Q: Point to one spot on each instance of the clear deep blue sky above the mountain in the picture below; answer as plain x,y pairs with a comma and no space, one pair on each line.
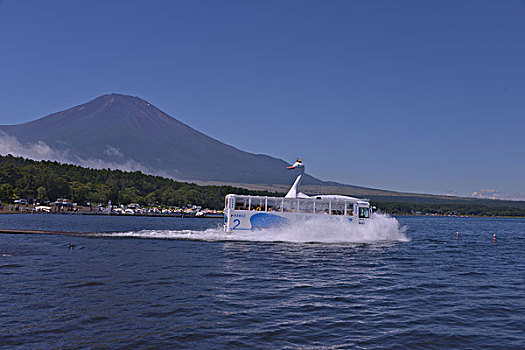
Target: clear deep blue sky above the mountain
420,96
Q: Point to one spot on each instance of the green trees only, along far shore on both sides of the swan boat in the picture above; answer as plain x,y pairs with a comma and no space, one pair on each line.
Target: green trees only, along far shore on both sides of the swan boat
50,180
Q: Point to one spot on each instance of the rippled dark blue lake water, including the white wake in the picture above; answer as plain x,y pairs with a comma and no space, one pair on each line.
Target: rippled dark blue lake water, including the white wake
136,282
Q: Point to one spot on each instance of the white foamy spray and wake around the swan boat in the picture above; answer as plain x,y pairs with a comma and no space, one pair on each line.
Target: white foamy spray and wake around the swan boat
381,228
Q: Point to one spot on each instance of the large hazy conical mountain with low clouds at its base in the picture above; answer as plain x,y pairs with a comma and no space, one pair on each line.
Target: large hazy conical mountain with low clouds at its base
128,133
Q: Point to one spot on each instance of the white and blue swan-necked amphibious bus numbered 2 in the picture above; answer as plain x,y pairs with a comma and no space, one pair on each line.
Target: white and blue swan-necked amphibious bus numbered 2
258,212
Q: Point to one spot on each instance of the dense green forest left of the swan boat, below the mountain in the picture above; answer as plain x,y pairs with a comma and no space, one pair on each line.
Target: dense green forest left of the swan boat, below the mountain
50,180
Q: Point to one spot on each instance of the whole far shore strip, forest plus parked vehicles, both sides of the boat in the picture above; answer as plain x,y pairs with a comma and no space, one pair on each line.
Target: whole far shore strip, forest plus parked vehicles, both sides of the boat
28,182
